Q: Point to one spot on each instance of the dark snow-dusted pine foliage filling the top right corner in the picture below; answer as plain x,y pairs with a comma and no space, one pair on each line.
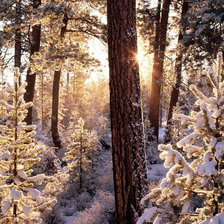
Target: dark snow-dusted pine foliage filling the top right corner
204,36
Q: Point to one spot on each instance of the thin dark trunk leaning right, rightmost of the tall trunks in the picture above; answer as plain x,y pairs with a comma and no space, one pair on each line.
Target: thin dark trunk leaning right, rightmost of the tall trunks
178,65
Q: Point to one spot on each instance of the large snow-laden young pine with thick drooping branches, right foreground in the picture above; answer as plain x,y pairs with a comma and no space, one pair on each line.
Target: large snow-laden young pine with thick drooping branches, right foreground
192,191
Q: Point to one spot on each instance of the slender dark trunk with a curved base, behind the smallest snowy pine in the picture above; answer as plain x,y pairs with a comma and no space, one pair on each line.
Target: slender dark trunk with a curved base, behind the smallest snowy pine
55,97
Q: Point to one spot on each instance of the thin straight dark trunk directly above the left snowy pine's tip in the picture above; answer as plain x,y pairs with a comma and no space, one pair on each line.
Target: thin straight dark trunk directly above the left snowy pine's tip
18,37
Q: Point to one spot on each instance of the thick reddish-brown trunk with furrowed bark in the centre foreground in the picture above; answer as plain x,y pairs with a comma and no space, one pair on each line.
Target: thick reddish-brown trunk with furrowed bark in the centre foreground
129,163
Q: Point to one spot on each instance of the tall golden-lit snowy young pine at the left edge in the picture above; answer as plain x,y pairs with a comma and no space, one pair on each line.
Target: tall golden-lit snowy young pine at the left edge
21,201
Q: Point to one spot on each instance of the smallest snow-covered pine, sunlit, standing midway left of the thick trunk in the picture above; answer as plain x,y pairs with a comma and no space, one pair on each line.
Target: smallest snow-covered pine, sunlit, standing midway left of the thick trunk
80,152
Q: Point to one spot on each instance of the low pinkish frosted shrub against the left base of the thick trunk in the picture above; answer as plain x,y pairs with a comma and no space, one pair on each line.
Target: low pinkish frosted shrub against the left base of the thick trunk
101,211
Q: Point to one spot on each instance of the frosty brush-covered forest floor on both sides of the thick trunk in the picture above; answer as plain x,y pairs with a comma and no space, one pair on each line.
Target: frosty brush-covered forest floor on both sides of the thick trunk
95,203
